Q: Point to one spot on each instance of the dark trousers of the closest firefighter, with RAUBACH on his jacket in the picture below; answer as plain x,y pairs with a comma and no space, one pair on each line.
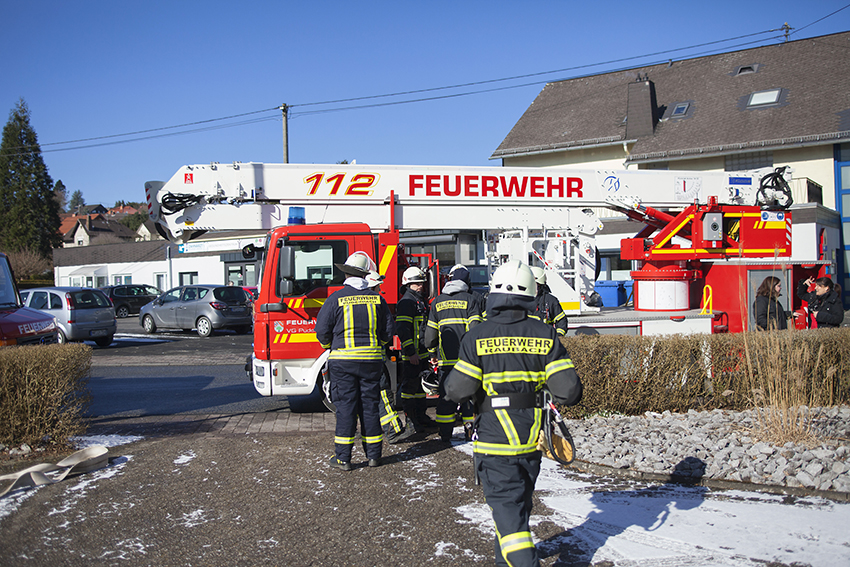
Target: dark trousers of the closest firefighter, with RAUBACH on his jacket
508,483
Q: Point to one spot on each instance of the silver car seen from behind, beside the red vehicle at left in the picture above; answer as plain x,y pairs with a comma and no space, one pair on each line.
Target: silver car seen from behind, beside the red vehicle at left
82,313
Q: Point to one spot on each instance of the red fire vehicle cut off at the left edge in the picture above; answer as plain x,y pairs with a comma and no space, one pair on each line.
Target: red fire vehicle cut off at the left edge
20,325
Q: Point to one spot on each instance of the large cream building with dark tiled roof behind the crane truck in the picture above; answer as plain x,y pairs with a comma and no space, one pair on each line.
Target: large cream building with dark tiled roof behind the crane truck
785,104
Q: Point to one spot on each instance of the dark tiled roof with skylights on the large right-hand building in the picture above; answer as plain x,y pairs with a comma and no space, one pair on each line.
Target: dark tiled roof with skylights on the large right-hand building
588,111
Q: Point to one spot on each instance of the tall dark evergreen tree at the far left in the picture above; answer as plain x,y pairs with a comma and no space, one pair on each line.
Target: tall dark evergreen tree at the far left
29,213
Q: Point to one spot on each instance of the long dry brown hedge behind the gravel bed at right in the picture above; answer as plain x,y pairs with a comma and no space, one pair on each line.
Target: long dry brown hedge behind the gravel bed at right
634,374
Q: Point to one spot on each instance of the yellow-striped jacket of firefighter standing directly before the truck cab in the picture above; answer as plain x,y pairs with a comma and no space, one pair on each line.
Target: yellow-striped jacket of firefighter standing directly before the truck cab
355,324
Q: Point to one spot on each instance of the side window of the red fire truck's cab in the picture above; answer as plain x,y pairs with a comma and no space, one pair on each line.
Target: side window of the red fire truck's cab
314,264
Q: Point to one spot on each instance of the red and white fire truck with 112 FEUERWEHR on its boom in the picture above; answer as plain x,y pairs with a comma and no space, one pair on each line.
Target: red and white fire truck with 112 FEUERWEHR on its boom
316,215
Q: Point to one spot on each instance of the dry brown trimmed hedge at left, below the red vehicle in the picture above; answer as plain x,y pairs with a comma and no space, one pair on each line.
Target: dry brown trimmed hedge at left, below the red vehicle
43,393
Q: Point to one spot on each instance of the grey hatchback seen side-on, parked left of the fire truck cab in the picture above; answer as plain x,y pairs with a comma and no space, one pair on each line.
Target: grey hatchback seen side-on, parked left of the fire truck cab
201,307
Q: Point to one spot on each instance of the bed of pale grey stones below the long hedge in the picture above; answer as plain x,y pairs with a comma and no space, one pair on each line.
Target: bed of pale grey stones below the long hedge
722,445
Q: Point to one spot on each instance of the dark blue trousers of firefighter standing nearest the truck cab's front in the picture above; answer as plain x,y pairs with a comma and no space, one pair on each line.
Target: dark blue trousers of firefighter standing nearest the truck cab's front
355,390
